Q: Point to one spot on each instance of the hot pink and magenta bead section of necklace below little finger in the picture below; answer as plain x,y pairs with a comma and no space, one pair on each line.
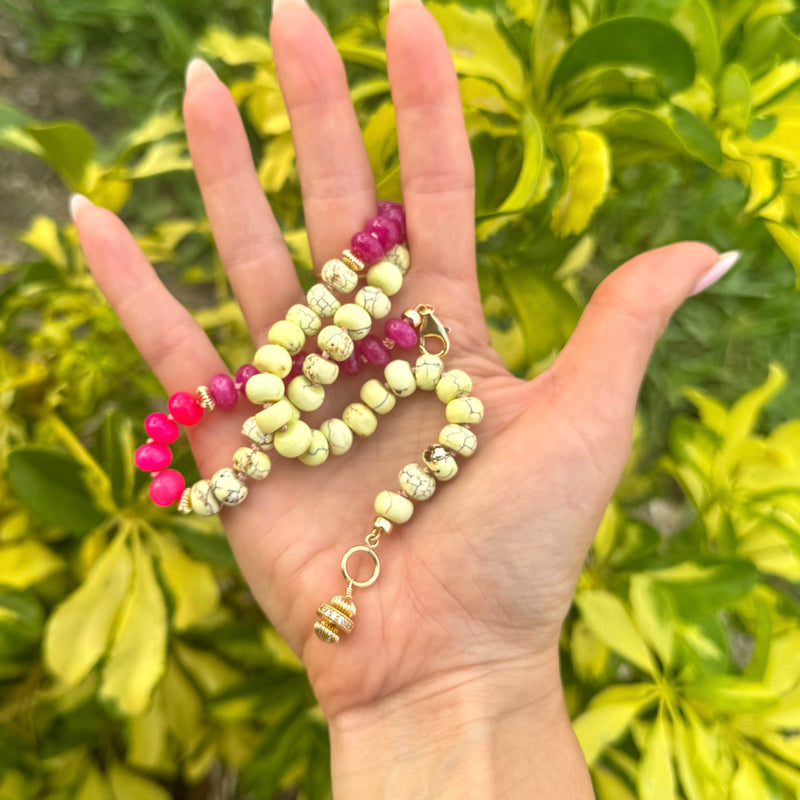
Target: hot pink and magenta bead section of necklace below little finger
186,409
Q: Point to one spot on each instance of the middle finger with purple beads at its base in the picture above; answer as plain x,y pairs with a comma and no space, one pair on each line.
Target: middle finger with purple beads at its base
335,174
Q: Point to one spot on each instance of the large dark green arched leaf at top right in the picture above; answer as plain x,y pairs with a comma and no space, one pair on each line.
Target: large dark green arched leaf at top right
637,42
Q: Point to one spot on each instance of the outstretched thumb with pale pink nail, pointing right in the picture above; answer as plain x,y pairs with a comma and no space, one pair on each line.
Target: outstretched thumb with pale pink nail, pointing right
599,371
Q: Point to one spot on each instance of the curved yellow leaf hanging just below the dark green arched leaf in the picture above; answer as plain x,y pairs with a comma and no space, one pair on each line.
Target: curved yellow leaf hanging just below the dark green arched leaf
586,161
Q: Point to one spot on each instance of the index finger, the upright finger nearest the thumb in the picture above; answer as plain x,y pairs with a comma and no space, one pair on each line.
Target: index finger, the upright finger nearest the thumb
435,159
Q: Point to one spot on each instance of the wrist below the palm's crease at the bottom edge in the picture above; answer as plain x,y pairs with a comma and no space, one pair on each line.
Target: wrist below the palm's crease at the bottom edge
495,731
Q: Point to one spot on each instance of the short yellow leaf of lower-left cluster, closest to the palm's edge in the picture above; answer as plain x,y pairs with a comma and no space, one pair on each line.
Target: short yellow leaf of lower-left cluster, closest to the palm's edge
191,584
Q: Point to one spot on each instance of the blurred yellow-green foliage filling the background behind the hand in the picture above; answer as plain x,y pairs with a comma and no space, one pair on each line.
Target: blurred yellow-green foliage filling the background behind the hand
133,661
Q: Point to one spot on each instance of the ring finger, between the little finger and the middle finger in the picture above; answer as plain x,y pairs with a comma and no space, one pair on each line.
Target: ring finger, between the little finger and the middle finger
247,236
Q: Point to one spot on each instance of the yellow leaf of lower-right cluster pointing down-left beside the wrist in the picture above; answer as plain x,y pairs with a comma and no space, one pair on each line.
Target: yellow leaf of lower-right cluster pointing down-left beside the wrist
609,716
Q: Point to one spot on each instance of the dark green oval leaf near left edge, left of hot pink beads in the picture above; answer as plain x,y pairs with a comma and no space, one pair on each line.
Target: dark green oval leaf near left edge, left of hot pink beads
50,483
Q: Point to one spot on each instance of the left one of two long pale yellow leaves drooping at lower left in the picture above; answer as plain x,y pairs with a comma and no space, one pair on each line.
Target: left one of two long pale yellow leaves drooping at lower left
78,631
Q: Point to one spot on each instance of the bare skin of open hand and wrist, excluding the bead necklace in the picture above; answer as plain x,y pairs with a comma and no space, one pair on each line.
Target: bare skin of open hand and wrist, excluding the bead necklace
449,686
